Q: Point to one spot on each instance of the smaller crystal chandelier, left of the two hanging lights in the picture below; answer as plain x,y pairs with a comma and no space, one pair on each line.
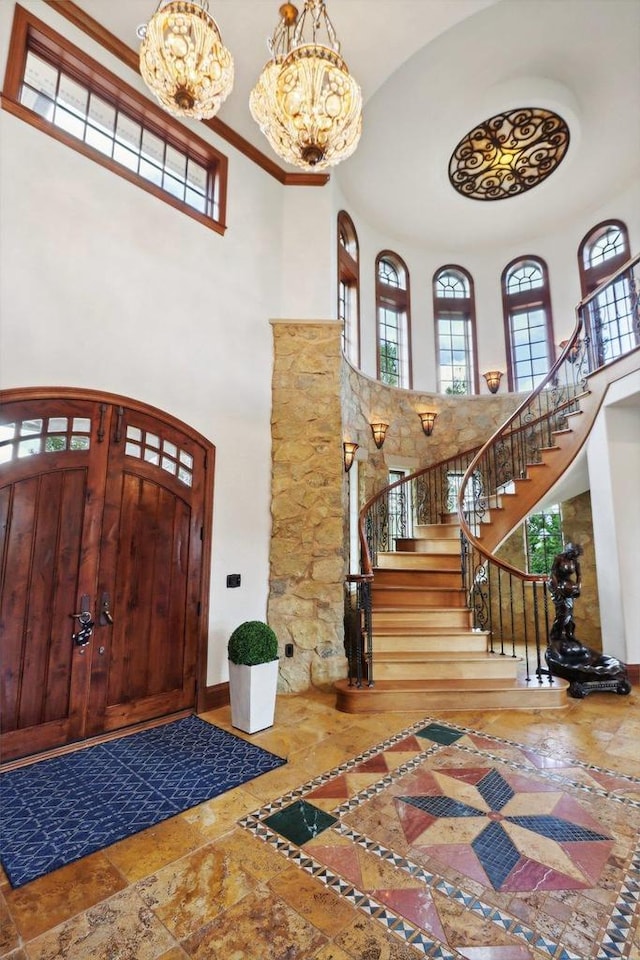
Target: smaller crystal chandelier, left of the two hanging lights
183,60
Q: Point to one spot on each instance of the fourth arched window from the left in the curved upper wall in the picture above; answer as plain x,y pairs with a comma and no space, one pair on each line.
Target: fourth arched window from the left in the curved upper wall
528,326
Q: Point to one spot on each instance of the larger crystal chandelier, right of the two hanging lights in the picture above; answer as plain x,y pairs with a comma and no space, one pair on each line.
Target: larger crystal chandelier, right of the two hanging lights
306,102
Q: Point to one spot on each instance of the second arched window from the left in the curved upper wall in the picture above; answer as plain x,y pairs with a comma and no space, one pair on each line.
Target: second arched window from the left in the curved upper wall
392,306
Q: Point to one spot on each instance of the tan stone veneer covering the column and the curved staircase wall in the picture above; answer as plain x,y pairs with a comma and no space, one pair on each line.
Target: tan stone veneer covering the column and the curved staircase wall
318,401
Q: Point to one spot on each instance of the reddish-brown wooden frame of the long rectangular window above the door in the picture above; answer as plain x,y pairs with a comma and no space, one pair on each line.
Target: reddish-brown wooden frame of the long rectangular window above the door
29,34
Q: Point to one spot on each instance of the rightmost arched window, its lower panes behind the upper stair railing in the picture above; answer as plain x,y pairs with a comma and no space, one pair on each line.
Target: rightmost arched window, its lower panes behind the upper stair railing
609,317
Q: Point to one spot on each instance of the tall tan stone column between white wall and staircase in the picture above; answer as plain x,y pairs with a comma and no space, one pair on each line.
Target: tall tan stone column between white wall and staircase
307,564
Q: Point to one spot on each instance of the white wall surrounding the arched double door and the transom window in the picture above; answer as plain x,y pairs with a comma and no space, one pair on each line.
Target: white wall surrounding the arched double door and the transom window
104,286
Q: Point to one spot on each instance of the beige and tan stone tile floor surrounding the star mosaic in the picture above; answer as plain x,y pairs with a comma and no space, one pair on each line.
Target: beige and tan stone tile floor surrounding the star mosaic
200,886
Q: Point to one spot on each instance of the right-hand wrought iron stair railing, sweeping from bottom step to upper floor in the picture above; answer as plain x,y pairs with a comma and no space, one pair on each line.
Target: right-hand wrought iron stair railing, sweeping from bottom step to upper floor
509,603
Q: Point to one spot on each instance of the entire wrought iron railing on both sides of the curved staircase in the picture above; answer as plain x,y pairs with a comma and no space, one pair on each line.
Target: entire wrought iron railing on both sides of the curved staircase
510,604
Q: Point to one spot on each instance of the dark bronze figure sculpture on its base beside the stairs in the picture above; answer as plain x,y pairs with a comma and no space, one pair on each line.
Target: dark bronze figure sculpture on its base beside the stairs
584,668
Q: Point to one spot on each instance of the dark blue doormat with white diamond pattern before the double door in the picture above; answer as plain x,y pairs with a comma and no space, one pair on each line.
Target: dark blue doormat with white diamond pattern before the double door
59,810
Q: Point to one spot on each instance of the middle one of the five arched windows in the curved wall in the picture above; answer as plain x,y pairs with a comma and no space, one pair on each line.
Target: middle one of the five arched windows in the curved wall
454,315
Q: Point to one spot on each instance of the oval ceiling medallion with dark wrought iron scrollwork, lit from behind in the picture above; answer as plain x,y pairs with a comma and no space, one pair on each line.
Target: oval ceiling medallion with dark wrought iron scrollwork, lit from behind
508,154
